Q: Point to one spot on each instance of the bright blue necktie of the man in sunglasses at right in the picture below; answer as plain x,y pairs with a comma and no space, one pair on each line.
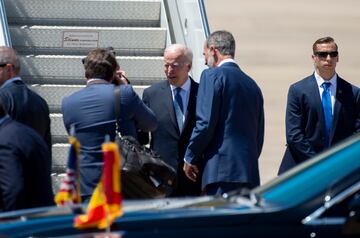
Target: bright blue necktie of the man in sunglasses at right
327,107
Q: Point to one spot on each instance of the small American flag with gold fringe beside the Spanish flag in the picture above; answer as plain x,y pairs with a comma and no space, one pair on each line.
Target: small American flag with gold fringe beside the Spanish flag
69,192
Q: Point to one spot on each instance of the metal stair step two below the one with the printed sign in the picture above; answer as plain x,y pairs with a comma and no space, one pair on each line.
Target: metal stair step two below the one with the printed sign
54,94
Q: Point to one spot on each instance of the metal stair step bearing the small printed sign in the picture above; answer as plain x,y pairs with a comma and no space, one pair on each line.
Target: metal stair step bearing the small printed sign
80,40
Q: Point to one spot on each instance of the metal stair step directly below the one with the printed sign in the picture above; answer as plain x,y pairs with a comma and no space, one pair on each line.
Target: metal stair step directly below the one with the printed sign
55,69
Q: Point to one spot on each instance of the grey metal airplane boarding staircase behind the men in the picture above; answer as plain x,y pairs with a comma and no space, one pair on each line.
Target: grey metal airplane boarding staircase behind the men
53,36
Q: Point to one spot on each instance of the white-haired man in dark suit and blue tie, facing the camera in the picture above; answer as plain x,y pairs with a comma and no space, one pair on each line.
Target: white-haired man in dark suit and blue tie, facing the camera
173,102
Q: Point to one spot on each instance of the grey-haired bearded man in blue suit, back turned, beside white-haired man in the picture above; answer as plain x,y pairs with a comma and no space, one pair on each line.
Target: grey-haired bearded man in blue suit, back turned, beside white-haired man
229,130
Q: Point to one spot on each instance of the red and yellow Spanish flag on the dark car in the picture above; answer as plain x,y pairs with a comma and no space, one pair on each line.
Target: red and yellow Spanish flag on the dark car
106,202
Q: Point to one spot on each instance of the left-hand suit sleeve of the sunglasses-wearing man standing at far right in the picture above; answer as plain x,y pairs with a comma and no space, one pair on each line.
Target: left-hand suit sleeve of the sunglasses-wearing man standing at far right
300,147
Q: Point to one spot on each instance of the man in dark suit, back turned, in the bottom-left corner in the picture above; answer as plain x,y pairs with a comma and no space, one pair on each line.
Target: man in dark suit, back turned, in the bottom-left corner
25,180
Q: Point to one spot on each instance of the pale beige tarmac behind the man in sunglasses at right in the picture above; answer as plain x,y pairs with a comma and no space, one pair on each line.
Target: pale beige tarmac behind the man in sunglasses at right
274,46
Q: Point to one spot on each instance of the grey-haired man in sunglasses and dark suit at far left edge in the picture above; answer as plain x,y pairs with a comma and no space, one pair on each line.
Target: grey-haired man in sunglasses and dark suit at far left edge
21,103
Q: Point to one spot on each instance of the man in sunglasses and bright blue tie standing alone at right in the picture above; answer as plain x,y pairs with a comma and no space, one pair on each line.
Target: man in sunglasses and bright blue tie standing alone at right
322,109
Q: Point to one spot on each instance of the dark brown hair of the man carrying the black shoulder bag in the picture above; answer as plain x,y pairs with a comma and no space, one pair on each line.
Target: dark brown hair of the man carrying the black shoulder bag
100,63
